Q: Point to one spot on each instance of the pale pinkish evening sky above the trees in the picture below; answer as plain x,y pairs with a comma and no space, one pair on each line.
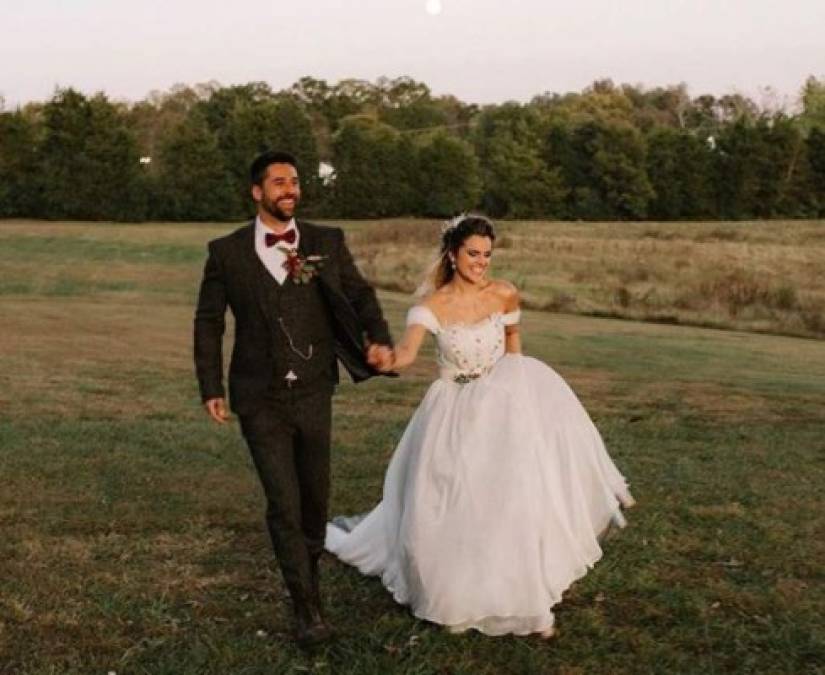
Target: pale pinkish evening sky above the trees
481,51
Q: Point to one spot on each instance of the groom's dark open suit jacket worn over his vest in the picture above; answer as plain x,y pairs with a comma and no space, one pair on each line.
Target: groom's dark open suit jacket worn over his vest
231,279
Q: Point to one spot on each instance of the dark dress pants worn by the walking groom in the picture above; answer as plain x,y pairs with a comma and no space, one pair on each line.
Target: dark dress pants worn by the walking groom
289,438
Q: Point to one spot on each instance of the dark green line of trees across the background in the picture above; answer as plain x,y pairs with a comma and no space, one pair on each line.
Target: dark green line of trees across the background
609,152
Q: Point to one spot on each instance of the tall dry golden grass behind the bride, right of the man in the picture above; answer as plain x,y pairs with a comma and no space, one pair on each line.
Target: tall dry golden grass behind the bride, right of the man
753,276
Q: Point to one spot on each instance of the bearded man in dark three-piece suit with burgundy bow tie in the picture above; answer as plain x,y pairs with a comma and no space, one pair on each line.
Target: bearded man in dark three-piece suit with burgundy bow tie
300,305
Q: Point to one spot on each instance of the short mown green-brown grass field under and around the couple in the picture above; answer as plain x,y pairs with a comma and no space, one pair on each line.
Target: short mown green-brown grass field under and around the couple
133,537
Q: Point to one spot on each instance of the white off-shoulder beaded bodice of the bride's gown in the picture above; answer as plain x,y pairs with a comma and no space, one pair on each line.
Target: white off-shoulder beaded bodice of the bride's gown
465,351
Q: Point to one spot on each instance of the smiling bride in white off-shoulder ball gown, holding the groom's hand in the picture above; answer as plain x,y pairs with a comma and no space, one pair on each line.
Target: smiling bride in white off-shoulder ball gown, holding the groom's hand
500,486
